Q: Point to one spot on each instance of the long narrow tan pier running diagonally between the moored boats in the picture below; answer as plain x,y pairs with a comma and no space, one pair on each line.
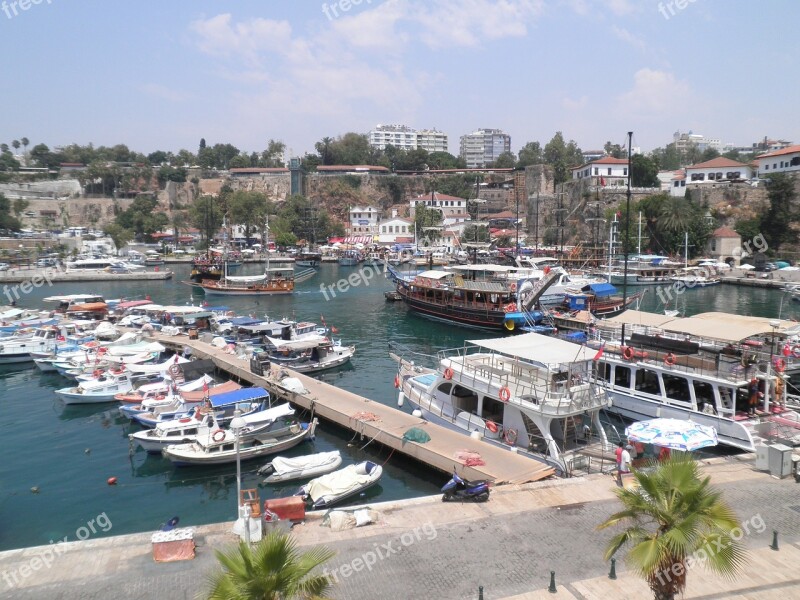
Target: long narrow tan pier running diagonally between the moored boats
348,410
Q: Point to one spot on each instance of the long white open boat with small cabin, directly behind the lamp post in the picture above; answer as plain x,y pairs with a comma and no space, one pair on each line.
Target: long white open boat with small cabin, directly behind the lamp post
222,447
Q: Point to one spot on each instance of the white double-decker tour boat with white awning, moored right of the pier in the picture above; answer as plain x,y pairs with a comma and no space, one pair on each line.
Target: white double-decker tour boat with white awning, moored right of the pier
529,393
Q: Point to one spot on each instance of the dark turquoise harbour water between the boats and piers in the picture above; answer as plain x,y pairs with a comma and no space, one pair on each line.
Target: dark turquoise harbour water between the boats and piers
68,453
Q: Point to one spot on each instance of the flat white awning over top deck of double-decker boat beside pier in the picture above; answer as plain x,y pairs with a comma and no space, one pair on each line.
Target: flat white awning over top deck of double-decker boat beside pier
538,348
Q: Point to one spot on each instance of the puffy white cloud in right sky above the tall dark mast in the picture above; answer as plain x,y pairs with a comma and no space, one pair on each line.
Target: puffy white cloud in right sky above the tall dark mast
655,94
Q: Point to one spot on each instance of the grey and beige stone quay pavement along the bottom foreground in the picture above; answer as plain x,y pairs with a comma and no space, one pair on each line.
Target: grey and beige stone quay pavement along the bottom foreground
424,548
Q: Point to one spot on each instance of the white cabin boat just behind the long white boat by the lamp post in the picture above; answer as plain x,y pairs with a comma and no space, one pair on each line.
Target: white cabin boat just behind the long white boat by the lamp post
201,424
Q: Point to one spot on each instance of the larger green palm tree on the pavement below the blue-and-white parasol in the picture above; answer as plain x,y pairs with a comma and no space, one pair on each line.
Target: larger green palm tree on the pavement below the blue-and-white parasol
675,521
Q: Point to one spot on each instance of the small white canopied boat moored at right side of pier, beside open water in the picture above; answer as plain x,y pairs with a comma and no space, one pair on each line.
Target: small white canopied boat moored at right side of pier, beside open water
308,355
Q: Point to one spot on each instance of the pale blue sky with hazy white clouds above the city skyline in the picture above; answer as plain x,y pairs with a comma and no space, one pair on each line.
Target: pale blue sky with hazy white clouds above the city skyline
161,75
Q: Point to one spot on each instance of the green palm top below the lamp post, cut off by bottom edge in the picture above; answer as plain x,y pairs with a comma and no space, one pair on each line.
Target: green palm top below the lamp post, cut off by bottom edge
273,570
